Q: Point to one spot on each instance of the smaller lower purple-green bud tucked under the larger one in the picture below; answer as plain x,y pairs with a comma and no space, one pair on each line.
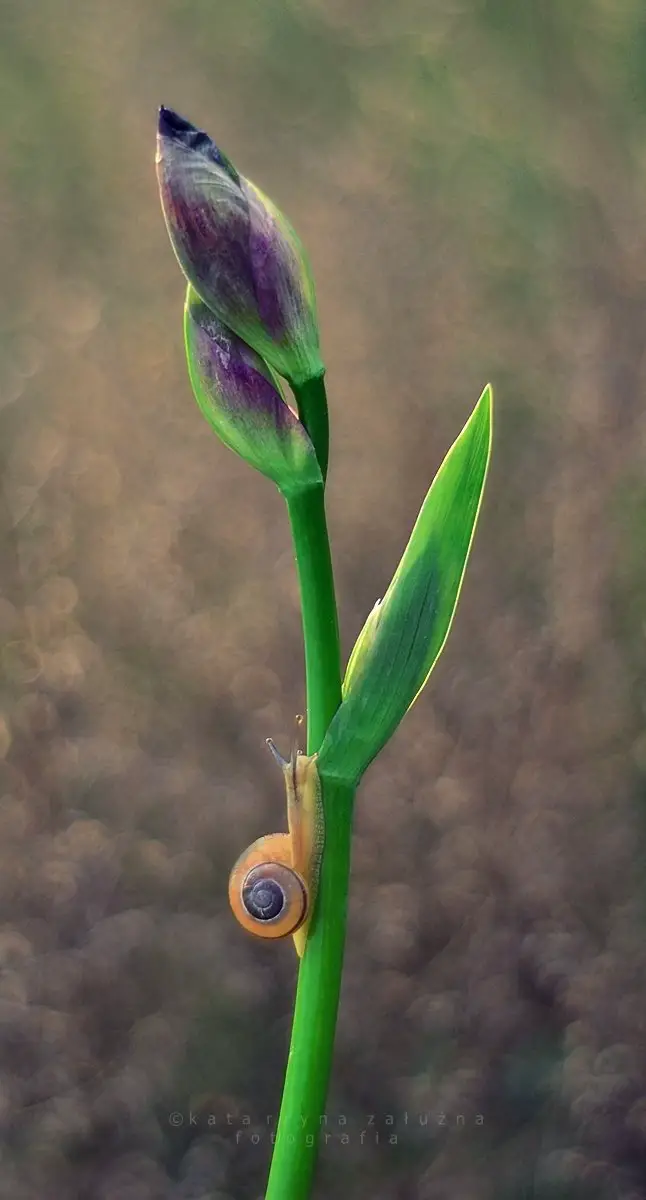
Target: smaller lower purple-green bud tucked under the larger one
242,400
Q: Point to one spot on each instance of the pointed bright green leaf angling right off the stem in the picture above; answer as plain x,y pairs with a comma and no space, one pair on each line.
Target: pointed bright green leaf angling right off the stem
405,634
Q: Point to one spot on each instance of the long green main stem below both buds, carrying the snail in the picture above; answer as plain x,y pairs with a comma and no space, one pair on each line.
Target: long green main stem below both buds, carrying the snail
320,976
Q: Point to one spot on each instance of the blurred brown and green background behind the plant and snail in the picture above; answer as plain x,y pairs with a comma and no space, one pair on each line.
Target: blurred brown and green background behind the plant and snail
469,179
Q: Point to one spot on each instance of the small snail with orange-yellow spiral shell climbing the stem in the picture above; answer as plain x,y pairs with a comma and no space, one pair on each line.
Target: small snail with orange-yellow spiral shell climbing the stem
273,886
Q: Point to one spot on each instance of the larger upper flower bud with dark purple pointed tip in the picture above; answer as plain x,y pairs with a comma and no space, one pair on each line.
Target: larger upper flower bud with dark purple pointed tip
237,250
